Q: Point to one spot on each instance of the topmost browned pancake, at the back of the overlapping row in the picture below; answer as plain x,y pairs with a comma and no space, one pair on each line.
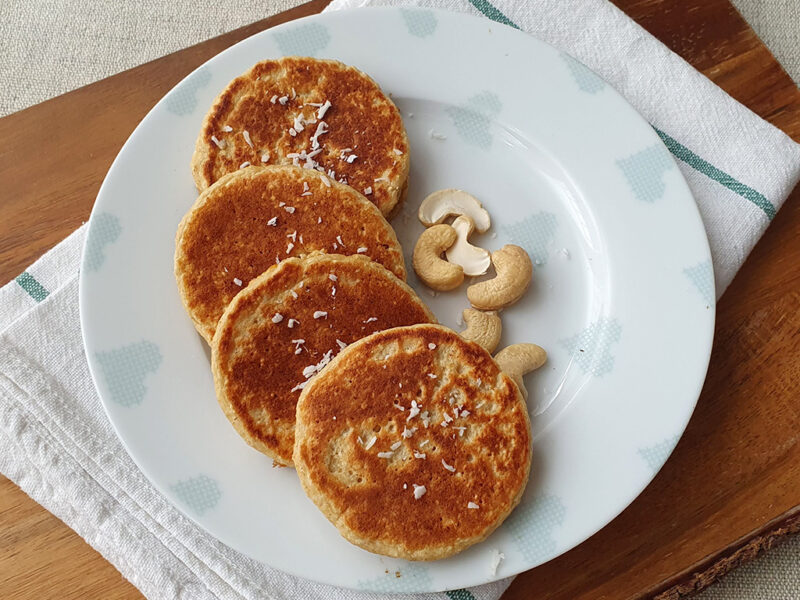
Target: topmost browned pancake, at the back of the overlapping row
364,143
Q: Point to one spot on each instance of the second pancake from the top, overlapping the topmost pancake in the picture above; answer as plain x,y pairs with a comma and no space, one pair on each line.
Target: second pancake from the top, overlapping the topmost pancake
251,219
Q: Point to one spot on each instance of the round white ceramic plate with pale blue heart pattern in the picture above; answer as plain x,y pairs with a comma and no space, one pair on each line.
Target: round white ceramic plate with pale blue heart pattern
622,297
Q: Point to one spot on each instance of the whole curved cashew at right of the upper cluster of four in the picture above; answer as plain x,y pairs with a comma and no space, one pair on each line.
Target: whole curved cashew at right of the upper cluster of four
514,271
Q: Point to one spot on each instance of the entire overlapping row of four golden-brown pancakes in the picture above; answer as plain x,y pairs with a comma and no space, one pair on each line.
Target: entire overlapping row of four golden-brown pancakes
408,438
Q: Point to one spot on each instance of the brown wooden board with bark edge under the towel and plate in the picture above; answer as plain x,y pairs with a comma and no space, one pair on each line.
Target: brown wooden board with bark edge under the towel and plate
730,490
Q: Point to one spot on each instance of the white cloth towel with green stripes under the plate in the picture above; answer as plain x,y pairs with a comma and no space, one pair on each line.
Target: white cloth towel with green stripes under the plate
57,444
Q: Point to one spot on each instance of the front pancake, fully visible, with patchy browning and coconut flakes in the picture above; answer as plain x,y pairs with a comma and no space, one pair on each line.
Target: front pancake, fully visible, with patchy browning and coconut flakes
362,449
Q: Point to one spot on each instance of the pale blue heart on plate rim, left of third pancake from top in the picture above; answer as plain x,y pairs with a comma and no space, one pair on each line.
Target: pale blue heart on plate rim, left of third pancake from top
125,370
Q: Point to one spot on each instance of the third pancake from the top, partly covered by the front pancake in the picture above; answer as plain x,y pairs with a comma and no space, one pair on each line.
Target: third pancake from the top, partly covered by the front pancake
269,343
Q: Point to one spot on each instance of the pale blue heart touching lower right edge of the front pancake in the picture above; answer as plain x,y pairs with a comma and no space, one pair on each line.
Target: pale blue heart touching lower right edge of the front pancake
533,525
